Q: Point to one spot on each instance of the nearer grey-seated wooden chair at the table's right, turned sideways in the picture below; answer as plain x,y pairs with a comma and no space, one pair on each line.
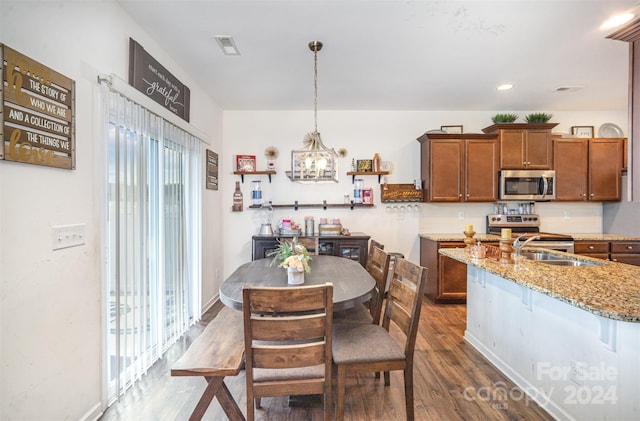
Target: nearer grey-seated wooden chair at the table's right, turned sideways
365,348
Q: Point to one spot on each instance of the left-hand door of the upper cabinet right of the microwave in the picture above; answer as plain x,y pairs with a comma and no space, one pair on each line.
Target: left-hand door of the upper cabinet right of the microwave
571,157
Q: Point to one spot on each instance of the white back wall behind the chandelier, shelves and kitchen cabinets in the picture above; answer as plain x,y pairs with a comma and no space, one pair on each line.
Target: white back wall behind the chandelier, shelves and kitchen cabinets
393,135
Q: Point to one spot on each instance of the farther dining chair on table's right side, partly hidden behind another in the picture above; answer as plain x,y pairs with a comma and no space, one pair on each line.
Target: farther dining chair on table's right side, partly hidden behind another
378,267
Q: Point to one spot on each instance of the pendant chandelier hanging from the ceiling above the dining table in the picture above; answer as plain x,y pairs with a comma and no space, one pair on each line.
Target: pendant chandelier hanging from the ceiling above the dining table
315,162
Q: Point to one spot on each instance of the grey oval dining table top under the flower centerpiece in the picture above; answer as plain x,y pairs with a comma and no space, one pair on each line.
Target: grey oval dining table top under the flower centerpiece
352,284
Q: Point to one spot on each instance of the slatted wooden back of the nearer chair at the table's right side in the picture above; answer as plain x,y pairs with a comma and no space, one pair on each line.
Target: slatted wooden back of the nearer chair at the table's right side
404,301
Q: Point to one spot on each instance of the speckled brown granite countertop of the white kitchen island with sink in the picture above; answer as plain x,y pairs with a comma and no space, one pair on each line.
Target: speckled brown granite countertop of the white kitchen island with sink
610,290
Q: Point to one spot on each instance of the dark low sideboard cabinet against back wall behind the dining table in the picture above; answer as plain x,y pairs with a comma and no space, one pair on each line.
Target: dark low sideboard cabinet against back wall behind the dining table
354,246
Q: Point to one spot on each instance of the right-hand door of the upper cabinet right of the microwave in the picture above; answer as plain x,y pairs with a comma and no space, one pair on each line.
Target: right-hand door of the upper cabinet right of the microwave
605,169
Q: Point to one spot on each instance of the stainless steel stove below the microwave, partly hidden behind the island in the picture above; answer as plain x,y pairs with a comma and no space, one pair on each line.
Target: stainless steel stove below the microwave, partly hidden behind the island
528,225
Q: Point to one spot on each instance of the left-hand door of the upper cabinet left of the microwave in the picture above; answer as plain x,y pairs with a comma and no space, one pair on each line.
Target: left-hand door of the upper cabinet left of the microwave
446,170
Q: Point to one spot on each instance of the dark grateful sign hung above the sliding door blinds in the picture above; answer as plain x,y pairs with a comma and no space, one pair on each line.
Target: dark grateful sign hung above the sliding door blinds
152,79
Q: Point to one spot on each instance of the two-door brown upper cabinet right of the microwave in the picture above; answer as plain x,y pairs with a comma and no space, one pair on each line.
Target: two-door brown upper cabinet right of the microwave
588,169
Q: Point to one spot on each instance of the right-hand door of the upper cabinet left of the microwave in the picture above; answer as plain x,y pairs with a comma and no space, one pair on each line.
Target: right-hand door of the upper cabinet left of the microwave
481,170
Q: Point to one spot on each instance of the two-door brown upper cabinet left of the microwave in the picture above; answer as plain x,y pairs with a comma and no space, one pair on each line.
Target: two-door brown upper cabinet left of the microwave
459,168
